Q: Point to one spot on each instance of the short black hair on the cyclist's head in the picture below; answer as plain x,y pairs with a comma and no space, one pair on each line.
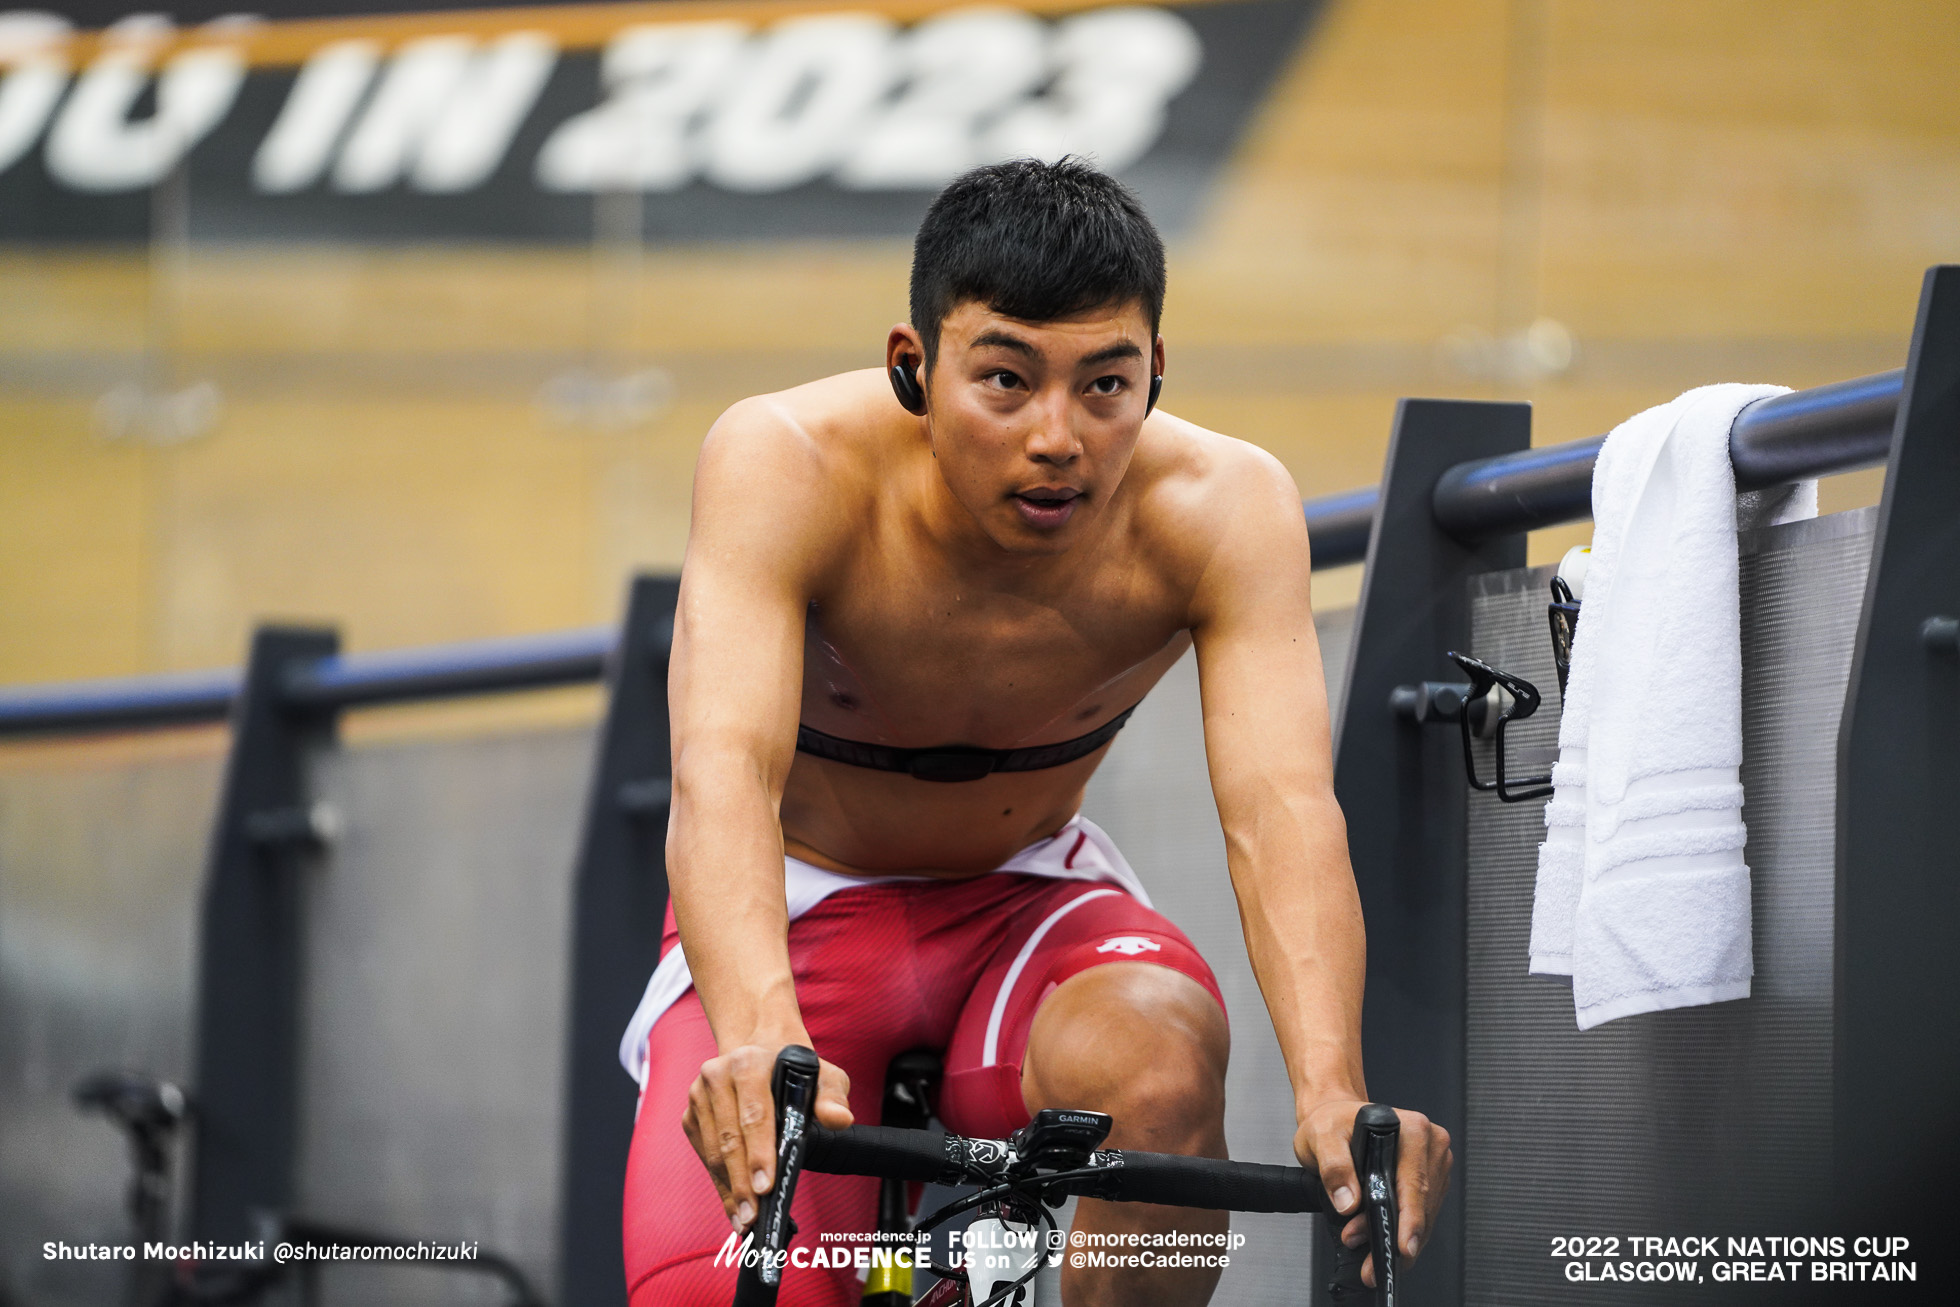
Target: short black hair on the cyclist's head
1034,240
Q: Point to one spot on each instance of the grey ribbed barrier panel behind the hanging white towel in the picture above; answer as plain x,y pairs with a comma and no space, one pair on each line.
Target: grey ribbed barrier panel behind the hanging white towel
1696,1120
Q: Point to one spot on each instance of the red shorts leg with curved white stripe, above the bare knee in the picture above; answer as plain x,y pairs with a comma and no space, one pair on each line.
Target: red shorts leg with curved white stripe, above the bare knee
1059,932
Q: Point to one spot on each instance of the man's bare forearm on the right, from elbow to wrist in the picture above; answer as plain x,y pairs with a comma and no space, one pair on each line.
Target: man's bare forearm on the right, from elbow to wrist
1306,942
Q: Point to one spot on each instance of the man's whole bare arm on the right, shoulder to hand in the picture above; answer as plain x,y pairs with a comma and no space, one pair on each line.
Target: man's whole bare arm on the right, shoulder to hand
1271,757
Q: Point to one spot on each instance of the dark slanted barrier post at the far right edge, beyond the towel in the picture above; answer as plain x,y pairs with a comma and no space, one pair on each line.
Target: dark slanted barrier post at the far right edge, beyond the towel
1898,804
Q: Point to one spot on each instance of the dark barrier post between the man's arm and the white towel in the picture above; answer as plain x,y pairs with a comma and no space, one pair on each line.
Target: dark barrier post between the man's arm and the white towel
1402,789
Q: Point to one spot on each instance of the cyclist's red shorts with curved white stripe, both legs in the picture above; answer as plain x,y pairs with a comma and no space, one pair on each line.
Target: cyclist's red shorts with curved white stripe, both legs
955,965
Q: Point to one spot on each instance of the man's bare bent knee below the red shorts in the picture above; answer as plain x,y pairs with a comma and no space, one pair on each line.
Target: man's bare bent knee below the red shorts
1138,1041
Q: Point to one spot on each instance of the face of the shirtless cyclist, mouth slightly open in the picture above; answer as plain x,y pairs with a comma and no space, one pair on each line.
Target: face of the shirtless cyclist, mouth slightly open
1034,422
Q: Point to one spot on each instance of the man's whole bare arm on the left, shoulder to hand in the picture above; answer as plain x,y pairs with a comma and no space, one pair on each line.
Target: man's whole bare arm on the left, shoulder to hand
758,544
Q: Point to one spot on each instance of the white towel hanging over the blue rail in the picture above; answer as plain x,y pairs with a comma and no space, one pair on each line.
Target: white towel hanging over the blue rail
1643,896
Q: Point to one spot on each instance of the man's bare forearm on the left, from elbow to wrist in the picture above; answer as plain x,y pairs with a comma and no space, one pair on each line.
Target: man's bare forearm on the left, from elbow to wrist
724,853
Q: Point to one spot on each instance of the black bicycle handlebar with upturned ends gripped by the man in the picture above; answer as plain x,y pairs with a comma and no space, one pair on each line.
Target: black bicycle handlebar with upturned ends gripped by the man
934,1157
